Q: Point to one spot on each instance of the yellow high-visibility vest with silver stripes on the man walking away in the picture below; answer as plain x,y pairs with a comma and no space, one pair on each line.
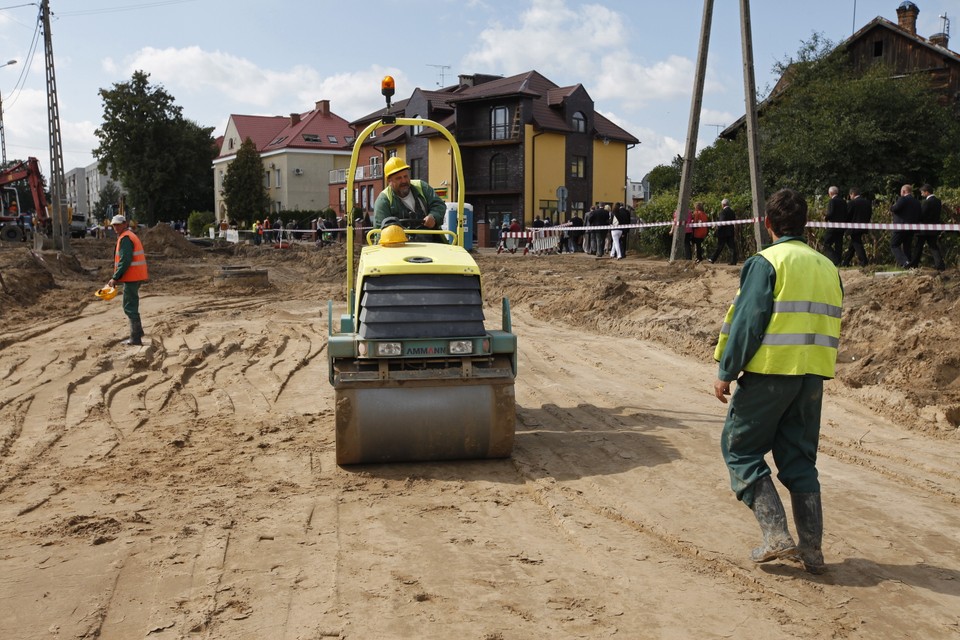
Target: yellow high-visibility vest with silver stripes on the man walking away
803,334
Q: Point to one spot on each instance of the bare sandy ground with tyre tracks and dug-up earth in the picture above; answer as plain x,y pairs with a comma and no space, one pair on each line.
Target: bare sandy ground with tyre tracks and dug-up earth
187,489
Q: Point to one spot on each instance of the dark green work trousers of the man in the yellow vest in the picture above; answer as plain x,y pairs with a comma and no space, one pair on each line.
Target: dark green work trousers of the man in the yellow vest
779,414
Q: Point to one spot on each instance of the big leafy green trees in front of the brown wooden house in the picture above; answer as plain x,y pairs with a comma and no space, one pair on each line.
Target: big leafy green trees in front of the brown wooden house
827,125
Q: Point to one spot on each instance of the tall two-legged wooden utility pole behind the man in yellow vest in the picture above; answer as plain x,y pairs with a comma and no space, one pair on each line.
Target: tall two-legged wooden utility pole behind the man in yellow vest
753,147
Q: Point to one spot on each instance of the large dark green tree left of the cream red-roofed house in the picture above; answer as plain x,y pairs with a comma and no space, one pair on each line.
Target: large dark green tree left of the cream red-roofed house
161,158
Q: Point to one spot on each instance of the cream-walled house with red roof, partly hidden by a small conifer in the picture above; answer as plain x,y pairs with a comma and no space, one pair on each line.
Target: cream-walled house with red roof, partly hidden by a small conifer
298,152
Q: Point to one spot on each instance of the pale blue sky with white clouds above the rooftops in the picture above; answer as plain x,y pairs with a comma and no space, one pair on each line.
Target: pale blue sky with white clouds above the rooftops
220,57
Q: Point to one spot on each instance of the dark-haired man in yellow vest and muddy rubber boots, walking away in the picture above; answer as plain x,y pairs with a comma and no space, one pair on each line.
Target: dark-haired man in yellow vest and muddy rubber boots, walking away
780,336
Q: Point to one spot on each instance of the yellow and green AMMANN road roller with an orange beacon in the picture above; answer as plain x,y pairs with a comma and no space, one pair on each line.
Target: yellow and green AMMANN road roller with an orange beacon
416,374
